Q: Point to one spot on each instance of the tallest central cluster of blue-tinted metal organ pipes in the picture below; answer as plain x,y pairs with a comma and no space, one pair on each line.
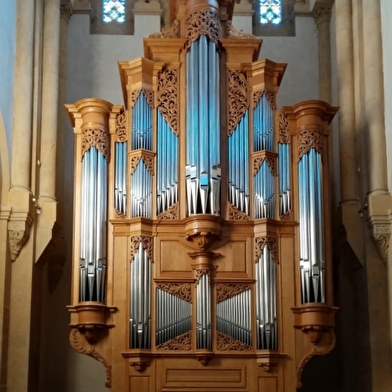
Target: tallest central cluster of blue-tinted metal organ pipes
203,128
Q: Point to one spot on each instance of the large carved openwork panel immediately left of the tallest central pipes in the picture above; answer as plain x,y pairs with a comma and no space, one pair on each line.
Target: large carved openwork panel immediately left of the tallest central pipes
167,97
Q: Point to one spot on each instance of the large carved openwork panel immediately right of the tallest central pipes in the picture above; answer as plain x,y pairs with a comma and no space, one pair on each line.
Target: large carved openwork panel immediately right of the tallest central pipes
237,98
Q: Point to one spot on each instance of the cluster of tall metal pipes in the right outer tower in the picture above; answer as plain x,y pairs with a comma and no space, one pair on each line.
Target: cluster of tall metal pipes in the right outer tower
311,227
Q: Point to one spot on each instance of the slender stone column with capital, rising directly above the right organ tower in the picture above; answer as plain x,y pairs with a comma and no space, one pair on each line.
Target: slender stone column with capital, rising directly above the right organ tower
322,17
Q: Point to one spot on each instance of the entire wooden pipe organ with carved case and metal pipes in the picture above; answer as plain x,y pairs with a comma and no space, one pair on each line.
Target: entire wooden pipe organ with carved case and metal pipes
202,243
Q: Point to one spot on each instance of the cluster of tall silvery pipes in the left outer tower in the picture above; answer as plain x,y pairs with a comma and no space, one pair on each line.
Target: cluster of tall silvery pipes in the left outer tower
93,226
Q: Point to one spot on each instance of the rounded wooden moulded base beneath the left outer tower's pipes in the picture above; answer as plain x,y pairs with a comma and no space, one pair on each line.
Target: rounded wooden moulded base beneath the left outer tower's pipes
91,319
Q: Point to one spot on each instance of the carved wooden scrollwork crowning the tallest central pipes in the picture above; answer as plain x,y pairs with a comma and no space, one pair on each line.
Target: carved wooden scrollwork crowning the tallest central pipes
204,22
